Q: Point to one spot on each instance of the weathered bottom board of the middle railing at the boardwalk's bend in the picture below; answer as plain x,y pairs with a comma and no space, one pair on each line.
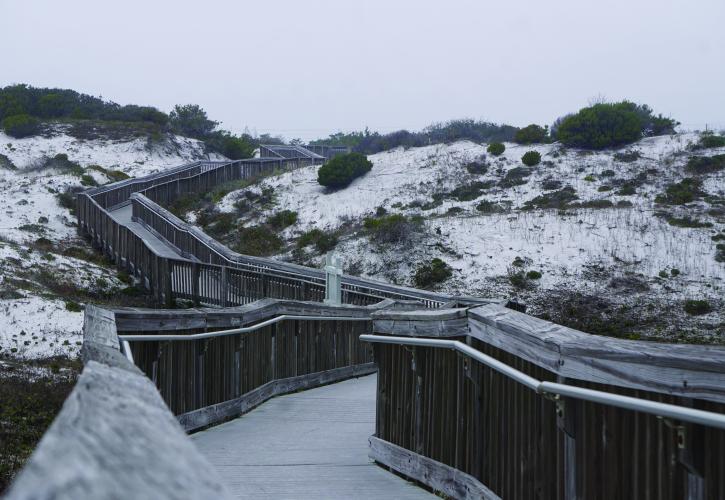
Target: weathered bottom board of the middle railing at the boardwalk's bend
217,413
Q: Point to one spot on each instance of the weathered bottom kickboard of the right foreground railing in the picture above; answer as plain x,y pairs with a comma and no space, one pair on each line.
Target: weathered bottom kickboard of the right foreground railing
433,474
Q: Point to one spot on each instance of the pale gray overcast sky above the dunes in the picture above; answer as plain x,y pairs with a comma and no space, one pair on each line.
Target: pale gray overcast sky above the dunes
310,67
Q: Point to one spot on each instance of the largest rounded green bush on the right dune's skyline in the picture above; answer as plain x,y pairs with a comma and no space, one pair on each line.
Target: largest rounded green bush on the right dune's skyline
606,125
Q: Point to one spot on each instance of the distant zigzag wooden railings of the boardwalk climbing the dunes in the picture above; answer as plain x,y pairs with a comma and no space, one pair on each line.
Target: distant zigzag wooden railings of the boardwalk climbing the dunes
208,272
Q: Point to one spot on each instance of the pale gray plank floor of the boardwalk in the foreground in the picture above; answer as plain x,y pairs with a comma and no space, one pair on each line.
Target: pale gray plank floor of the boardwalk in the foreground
309,445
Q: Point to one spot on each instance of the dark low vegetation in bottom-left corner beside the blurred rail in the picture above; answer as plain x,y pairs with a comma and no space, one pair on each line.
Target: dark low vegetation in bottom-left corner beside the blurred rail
29,405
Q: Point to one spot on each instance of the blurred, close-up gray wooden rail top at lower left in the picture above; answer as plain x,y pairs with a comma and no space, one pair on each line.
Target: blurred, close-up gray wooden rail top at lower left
114,437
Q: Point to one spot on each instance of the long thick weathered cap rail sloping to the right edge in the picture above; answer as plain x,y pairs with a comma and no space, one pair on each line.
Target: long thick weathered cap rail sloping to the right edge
696,371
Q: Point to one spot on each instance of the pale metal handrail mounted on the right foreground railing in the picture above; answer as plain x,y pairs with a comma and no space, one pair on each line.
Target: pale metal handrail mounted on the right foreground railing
557,390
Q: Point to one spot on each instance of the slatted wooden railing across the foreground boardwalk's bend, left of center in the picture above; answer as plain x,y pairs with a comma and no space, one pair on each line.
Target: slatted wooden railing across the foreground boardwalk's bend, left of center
214,364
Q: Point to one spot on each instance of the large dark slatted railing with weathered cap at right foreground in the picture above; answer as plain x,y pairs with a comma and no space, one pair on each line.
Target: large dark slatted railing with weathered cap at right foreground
473,430
